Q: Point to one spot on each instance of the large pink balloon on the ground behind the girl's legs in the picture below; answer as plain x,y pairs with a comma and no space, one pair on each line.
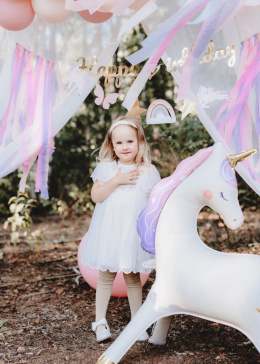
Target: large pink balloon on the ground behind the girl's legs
91,277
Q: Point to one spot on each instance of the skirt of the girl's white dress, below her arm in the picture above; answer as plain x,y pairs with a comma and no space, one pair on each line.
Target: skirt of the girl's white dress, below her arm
112,241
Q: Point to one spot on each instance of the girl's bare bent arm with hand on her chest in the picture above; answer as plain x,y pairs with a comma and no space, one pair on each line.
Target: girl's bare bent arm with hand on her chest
99,193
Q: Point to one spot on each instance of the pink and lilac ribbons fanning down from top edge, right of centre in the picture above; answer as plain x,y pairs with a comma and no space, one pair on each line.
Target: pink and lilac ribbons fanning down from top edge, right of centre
214,16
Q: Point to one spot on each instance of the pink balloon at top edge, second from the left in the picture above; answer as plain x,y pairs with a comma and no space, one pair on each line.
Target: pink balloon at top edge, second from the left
51,11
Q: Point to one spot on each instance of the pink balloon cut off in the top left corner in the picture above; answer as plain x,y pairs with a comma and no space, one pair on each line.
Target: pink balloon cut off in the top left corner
16,14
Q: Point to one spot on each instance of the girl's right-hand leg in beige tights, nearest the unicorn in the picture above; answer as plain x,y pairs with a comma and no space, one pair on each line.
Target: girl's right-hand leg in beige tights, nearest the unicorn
134,291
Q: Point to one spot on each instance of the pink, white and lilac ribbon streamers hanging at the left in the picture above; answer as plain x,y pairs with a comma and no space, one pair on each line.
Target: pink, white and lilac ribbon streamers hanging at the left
29,105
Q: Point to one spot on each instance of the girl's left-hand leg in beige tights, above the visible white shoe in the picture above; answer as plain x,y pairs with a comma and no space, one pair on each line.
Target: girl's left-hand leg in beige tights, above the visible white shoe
103,293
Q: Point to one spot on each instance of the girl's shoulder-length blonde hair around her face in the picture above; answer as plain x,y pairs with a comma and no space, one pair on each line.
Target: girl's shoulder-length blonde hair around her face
107,154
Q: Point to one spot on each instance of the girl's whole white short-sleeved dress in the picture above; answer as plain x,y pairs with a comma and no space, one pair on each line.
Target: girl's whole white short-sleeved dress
112,241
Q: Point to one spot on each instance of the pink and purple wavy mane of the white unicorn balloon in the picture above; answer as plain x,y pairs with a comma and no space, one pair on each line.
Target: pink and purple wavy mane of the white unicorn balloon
148,218
